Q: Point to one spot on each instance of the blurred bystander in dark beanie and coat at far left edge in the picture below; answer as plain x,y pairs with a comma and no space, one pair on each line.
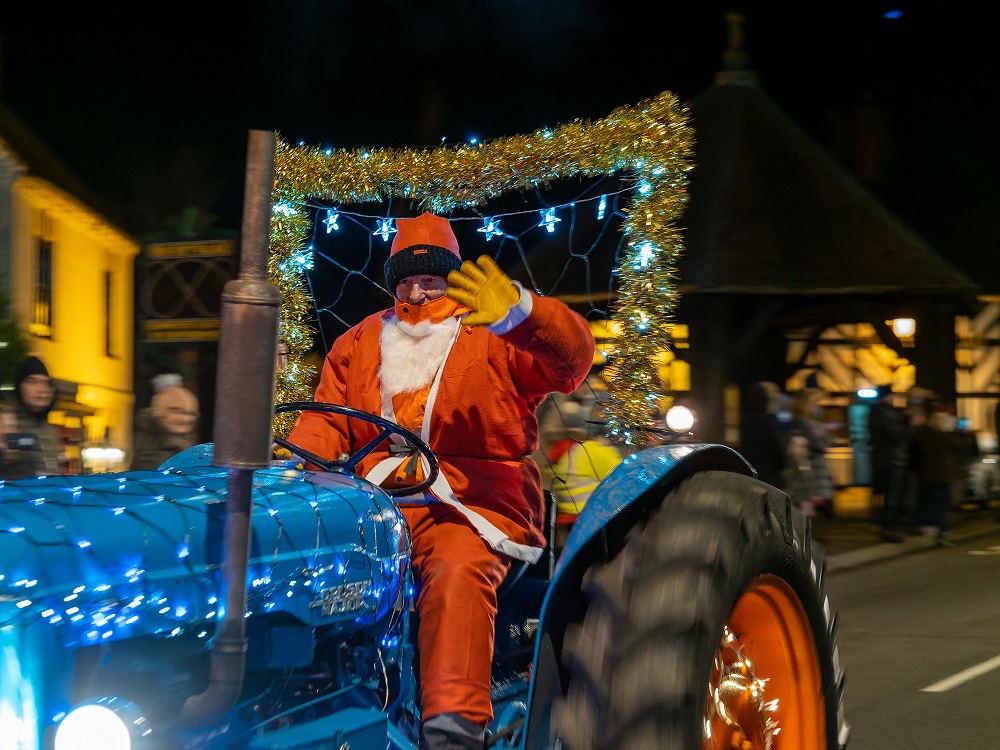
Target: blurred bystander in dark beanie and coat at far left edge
34,446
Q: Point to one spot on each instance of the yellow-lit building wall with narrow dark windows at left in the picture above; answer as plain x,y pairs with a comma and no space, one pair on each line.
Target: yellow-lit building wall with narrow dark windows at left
84,248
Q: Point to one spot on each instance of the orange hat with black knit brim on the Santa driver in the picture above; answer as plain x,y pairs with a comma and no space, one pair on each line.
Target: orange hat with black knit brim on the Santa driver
424,245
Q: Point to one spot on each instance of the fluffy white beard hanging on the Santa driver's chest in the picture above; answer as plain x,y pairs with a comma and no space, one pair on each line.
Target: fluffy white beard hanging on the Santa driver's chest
412,353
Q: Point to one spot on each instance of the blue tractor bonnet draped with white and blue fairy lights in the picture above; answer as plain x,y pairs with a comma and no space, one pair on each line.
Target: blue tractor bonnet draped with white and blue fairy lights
133,568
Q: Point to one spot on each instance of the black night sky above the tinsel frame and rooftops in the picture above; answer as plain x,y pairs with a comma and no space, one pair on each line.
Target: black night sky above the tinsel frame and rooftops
150,104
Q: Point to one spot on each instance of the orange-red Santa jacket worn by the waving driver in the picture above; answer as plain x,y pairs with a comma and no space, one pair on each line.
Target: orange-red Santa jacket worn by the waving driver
482,423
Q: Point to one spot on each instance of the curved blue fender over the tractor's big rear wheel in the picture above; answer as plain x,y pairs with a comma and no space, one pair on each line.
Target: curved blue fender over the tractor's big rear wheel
628,494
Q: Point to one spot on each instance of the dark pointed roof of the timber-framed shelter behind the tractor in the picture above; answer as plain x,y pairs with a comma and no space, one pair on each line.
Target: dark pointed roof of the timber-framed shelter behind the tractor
772,213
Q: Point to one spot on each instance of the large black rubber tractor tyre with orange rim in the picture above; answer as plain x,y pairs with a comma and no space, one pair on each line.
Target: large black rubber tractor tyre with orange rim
711,629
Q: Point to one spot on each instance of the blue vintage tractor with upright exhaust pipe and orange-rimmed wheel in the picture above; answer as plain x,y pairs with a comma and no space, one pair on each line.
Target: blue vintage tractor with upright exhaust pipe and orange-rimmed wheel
228,600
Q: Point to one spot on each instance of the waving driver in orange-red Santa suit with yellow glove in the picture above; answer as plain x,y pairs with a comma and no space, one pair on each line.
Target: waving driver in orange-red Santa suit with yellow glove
463,359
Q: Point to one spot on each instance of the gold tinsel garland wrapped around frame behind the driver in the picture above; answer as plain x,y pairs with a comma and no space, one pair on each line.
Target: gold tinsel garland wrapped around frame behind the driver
651,142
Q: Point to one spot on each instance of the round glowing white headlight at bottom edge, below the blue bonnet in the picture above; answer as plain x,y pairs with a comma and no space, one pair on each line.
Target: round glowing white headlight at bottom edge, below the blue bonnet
103,724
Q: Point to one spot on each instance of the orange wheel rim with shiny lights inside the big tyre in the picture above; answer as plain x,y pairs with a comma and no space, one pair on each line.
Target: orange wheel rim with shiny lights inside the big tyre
765,692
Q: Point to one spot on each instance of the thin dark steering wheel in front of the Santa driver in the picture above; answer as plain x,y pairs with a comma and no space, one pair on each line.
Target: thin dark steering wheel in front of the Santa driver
349,466
